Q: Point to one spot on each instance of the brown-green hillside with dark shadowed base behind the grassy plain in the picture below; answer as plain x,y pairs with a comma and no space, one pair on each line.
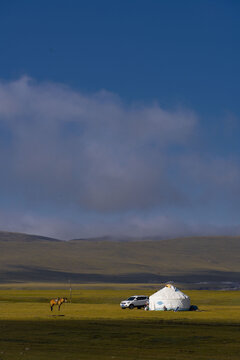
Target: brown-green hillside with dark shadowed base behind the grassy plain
35,258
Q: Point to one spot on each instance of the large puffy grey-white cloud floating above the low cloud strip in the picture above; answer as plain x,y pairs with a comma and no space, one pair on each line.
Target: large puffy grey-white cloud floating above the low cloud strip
90,150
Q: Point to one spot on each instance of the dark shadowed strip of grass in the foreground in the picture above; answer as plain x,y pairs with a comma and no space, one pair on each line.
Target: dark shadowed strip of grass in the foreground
128,339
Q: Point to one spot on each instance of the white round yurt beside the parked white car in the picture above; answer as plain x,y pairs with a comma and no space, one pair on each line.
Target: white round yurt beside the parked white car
169,298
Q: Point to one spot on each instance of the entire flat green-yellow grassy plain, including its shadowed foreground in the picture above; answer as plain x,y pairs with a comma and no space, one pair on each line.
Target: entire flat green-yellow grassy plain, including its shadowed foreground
94,327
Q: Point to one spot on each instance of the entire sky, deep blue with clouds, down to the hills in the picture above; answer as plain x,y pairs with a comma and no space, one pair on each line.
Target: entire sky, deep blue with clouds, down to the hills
120,118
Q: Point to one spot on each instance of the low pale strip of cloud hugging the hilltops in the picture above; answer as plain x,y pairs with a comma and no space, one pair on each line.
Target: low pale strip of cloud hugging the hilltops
134,226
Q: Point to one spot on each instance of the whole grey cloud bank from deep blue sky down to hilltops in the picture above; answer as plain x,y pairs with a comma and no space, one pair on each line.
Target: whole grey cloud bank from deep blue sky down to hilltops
115,168
